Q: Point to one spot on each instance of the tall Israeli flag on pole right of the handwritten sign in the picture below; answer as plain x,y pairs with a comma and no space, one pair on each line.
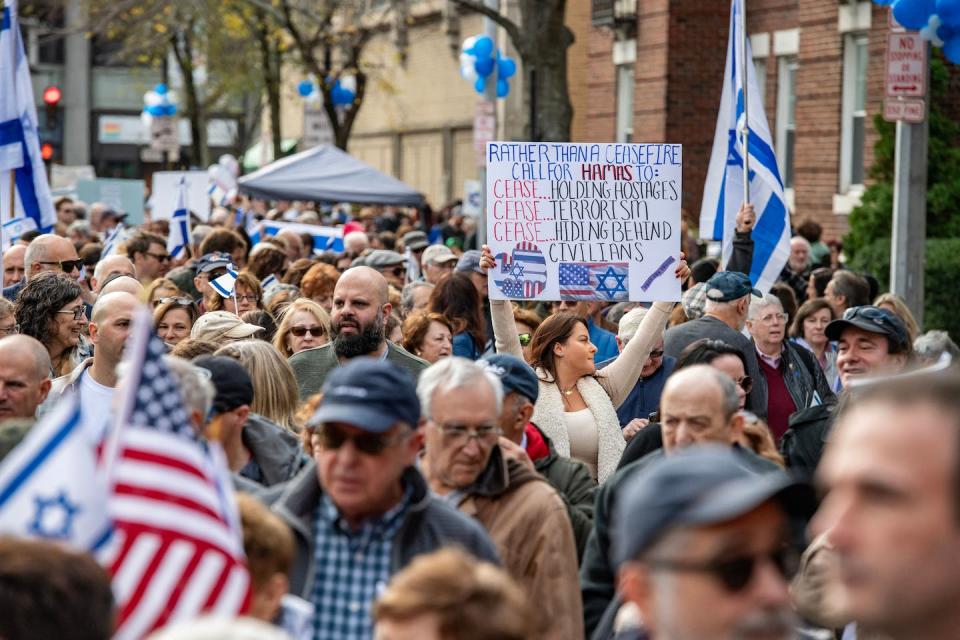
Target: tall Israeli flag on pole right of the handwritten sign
723,192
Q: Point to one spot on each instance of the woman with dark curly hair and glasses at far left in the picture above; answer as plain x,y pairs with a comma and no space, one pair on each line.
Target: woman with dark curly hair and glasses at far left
50,309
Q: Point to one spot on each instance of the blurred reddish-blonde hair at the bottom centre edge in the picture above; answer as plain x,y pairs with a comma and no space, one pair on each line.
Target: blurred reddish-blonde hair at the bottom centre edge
471,600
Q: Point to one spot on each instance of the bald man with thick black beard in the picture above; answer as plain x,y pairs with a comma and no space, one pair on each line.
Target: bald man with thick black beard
360,310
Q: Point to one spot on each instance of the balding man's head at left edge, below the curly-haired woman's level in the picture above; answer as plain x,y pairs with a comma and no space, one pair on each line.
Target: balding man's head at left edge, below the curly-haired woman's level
24,376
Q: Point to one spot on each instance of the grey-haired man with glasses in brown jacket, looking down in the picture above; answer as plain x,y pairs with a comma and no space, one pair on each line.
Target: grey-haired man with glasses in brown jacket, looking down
527,520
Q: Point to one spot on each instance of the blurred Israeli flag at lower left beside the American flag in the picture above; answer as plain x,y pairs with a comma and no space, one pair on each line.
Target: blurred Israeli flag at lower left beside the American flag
50,486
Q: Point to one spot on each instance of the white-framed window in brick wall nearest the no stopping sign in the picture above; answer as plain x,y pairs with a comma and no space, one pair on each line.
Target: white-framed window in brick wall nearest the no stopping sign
854,112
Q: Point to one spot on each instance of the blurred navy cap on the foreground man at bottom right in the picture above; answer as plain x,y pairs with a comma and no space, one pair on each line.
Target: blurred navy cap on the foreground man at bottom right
698,486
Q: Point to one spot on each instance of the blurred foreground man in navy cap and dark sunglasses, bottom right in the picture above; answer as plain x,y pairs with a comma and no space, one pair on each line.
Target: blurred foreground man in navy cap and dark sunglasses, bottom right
705,549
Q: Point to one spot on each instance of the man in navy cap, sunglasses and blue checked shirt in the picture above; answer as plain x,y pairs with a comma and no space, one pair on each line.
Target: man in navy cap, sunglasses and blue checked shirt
361,511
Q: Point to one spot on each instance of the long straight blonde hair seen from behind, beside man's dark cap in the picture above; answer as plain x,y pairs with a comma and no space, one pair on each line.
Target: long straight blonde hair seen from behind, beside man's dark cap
274,385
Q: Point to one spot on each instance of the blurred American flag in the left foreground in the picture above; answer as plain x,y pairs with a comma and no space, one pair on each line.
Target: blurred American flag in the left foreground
177,549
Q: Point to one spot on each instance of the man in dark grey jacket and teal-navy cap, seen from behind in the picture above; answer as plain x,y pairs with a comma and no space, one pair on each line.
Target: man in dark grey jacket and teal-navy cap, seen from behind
725,314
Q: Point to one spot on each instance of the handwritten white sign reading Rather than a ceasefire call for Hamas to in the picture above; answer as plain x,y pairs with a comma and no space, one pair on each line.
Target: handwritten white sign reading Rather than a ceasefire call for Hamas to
584,221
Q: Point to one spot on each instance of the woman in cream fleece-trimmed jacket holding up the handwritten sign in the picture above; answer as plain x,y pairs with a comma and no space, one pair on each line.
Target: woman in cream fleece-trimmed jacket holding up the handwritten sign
577,403
